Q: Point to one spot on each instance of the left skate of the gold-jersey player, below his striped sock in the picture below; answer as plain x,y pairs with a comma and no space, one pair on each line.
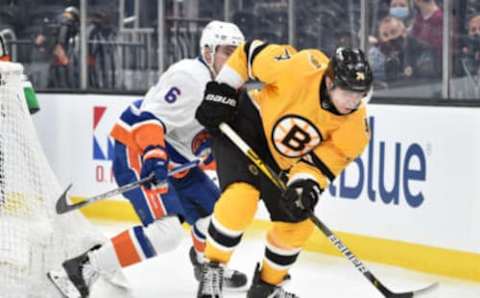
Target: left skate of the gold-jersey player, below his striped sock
211,282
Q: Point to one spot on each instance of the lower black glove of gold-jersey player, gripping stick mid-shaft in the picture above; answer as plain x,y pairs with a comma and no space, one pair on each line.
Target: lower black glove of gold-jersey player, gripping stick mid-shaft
300,198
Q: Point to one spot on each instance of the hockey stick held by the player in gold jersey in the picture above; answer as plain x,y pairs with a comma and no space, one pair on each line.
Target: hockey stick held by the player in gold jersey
238,141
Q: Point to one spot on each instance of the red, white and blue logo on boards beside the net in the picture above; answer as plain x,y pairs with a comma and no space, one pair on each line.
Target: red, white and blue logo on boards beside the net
102,143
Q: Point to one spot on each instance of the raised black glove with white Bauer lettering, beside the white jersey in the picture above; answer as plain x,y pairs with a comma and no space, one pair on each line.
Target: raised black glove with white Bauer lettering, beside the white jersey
219,105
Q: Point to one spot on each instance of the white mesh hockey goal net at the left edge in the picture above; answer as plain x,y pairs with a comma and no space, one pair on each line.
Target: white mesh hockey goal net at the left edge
33,239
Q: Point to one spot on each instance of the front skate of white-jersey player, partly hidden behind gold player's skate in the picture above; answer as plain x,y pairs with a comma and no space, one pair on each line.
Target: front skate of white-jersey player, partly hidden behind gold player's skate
233,280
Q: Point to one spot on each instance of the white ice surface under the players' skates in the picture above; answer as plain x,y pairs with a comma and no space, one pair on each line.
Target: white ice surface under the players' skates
314,275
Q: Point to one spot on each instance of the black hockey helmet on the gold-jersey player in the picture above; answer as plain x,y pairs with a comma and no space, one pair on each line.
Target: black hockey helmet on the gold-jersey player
349,69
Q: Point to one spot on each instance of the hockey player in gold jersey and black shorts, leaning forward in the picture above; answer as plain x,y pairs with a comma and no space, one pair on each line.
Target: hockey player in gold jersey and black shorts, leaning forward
308,122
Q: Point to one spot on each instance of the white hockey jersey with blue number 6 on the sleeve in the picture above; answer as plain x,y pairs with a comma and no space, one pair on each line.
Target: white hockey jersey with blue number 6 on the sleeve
172,101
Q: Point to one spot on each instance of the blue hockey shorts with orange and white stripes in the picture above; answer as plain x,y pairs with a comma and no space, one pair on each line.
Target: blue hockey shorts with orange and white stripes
191,197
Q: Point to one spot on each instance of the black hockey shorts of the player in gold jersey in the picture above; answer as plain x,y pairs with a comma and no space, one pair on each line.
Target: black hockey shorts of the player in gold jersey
233,166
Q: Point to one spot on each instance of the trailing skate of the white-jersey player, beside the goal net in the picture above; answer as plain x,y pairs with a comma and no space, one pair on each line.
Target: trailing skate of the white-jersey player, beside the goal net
76,278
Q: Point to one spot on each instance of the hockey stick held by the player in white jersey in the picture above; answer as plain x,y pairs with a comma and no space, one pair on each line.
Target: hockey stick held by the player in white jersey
63,206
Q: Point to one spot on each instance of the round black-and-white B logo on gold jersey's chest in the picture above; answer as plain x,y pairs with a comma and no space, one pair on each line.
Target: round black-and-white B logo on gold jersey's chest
294,136
